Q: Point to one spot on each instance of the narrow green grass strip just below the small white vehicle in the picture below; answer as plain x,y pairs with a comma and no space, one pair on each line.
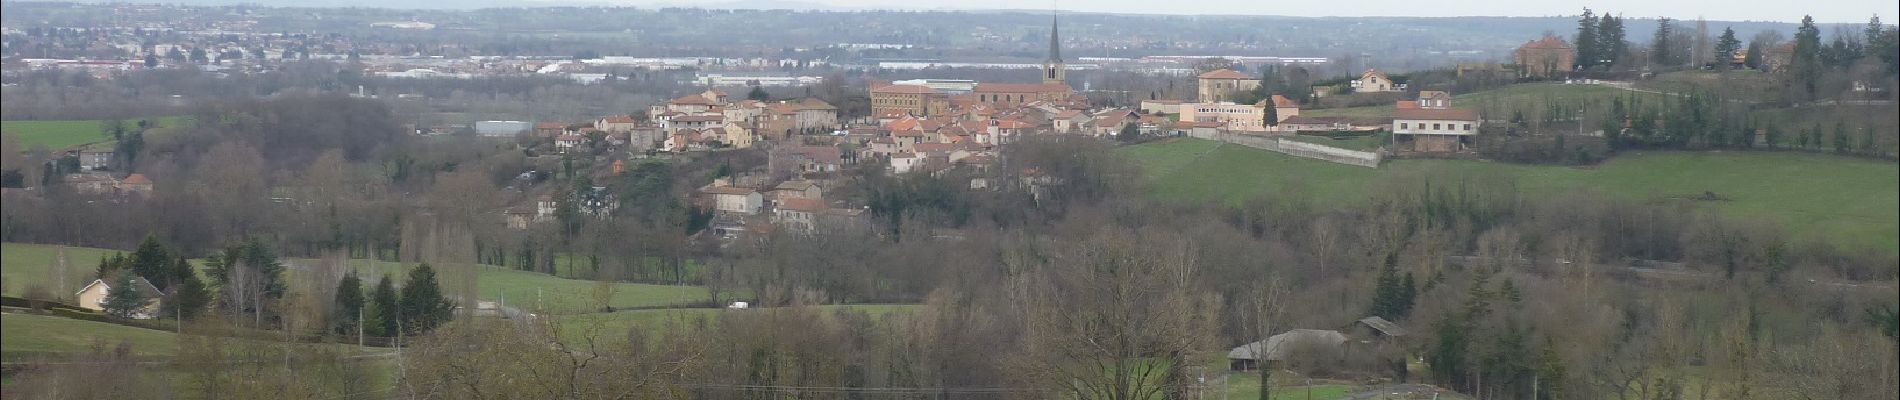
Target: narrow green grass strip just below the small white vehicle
617,325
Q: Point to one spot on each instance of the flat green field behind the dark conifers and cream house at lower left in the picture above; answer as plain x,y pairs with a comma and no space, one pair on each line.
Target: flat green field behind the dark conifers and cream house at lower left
31,264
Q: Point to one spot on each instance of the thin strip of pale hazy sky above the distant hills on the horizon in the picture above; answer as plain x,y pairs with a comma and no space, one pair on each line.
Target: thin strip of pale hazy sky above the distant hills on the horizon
1717,10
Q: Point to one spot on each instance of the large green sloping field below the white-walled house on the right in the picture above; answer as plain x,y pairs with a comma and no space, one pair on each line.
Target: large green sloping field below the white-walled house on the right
1848,200
